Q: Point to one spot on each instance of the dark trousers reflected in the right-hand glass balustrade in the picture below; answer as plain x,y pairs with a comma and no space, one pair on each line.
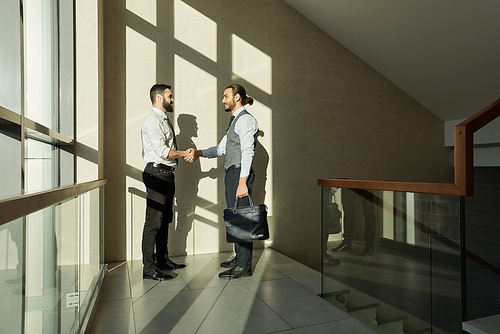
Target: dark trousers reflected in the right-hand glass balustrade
348,203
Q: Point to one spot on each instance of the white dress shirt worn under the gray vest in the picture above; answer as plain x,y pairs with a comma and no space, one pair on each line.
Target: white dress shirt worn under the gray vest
246,127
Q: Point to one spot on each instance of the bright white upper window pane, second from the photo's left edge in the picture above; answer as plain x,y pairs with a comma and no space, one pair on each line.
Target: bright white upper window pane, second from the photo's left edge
41,62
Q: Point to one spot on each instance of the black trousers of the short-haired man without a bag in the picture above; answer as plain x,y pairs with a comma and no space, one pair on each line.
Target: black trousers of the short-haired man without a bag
160,188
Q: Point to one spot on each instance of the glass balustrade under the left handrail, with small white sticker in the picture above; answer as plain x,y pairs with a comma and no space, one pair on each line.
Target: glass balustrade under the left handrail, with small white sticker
51,262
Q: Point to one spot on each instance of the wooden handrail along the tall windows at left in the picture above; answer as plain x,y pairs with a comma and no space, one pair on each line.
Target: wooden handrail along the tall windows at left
24,205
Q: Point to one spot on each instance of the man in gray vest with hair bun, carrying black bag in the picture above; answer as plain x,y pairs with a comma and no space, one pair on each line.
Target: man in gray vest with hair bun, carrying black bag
238,145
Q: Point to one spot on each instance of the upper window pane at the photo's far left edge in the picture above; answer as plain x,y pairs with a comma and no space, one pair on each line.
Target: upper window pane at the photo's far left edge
10,51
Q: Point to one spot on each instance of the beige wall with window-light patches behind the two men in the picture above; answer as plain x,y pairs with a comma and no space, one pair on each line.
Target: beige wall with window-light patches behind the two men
323,113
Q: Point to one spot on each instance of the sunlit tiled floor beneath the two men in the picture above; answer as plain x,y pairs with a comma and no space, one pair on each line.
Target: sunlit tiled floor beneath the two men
281,297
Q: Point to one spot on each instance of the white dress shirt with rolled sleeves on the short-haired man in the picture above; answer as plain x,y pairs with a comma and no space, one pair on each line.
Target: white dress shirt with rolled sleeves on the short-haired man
157,138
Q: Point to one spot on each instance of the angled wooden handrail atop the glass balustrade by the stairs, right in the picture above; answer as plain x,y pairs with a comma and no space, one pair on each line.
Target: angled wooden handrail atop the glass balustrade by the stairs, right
464,163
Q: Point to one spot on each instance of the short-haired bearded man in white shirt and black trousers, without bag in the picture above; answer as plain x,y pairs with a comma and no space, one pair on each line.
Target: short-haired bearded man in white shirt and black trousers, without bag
159,150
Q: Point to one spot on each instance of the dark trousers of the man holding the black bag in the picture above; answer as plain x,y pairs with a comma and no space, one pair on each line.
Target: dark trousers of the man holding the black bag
244,250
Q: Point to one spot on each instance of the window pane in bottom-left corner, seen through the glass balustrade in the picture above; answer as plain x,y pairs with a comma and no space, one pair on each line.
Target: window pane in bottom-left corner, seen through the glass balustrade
11,276
